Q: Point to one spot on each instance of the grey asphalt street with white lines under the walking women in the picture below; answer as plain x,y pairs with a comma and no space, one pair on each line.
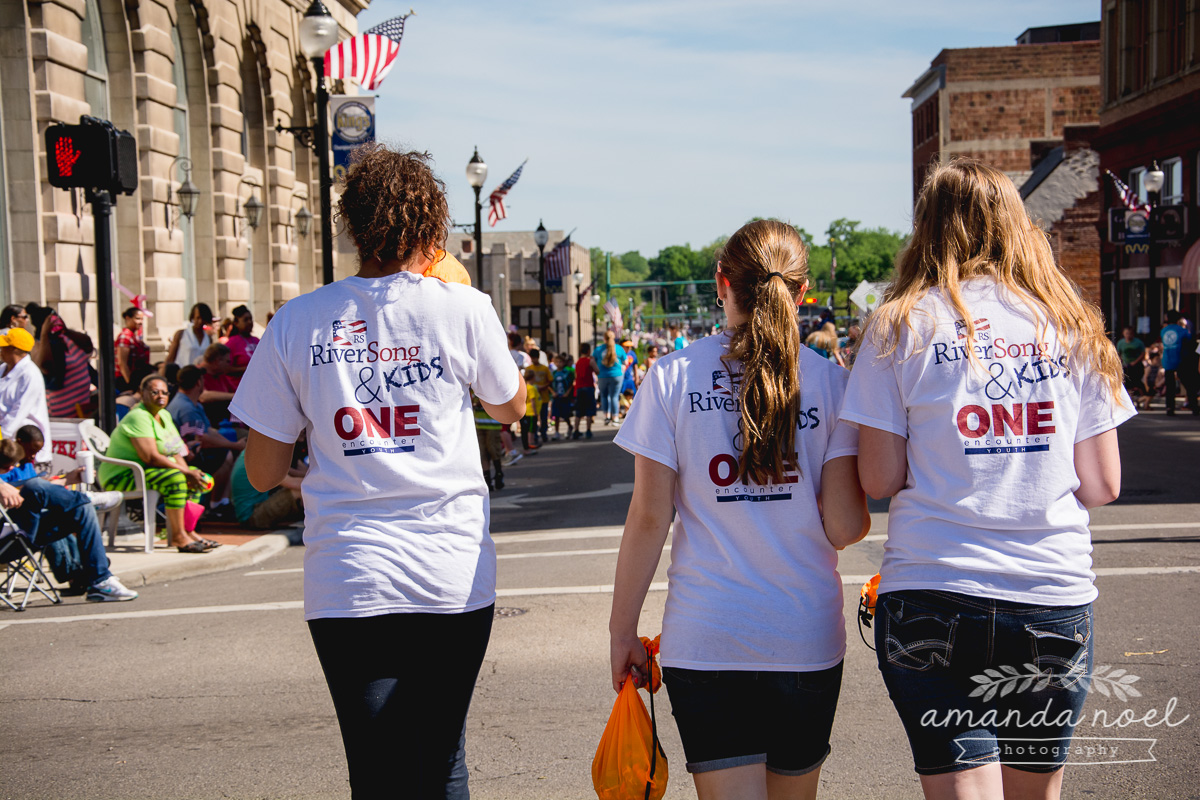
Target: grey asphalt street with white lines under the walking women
209,687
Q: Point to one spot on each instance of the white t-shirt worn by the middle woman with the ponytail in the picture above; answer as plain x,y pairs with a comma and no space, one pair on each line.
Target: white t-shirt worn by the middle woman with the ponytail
753,581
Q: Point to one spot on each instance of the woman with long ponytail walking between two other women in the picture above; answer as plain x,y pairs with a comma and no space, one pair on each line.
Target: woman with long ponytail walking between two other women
740,434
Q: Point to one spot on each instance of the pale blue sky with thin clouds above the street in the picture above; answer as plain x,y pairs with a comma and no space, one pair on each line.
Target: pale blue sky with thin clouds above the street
665,123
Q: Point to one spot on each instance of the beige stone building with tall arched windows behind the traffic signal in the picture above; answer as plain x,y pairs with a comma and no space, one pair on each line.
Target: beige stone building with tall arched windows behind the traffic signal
203,81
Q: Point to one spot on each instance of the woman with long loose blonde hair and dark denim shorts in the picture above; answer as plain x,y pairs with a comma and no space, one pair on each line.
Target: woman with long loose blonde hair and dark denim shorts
987,399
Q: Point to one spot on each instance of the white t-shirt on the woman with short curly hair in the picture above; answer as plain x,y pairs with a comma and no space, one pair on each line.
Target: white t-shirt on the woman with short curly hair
376,371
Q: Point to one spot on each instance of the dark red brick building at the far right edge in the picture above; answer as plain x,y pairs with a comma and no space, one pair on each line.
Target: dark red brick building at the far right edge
1151,113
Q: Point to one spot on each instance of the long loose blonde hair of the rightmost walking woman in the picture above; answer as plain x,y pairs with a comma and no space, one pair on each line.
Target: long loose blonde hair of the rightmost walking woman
970,224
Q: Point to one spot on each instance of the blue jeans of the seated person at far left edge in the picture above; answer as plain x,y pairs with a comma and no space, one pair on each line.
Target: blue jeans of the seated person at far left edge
51,513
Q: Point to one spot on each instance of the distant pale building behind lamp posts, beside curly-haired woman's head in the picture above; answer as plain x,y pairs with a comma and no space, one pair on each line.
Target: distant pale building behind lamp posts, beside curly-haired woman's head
511,278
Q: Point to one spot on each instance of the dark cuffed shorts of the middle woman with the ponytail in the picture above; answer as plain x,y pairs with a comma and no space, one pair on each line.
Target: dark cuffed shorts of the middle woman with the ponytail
734,718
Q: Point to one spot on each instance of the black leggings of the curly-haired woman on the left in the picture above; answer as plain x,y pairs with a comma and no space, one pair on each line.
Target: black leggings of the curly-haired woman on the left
401,685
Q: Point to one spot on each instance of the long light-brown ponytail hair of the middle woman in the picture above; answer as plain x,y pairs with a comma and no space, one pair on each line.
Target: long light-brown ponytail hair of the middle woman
767,266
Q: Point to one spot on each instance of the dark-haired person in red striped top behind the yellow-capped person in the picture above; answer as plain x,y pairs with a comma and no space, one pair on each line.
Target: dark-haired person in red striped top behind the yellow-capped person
63,356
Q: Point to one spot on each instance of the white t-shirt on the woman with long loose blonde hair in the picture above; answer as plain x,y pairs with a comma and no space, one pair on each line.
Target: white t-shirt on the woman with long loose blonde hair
988,508
